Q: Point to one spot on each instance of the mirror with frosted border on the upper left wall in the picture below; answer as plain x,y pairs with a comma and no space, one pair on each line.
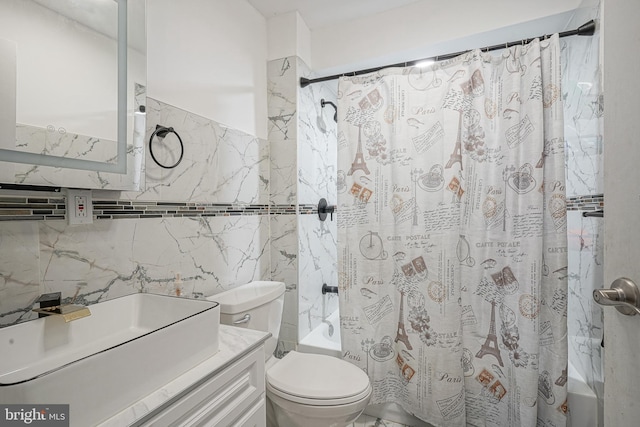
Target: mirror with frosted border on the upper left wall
72,92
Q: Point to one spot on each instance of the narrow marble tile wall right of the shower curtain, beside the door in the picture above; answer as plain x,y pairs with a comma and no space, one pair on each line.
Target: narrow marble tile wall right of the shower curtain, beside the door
583,113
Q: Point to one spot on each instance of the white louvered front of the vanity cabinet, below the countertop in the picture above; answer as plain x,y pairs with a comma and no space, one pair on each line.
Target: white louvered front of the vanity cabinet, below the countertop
233,397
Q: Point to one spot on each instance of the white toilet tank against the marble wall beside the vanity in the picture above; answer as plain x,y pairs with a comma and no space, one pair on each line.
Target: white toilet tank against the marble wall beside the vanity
257,305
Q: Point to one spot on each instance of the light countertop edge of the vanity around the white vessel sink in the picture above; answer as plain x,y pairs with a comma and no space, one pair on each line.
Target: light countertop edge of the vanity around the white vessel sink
234,343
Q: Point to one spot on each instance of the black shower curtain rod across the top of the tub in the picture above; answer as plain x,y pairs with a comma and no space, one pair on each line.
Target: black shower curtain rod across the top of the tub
587,29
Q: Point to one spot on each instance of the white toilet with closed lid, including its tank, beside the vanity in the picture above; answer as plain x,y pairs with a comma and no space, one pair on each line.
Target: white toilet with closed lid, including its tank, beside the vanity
303,390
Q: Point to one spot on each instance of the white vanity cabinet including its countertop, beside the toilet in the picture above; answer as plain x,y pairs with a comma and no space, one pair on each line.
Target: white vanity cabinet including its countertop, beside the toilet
227,389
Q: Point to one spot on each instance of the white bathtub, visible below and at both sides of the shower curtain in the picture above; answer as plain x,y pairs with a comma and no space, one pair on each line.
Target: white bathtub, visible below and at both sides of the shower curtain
583,403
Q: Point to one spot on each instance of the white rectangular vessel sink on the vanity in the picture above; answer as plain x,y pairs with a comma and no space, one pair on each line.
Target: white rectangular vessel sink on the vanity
126,349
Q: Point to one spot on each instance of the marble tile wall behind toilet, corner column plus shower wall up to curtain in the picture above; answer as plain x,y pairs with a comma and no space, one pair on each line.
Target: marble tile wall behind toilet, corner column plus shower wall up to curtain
302,137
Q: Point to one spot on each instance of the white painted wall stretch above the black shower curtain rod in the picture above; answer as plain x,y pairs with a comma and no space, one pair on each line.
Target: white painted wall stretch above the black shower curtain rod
413,31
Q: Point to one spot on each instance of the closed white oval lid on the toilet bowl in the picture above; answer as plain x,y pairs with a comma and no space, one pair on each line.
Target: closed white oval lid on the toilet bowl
317,379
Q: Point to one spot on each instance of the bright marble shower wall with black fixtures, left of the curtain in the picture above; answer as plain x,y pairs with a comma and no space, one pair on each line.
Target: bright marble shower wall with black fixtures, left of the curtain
317,165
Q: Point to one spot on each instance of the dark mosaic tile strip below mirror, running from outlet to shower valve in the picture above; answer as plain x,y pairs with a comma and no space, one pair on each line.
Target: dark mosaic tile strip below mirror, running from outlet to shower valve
31,208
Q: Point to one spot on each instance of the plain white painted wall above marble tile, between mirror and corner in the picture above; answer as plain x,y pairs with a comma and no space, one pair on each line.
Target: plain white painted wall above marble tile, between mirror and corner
209,57
